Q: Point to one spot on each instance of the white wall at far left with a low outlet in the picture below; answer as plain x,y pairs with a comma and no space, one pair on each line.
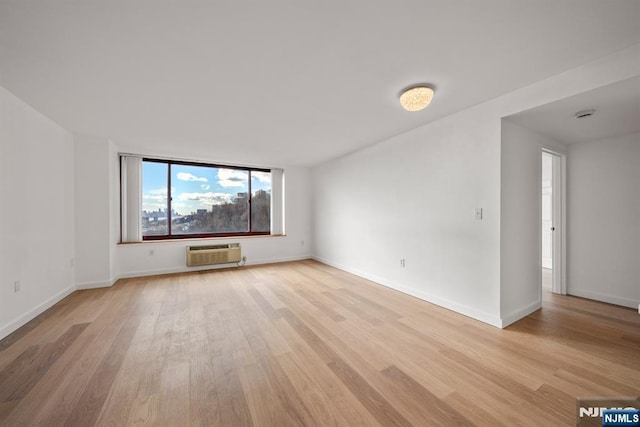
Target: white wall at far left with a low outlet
37,212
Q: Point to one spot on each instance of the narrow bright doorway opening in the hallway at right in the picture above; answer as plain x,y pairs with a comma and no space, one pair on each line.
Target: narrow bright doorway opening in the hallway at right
552,221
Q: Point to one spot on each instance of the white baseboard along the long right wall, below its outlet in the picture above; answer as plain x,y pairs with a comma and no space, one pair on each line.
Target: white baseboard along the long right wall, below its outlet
442,302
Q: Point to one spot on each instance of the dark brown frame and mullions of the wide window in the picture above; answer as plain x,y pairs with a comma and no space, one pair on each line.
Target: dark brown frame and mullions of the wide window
170,236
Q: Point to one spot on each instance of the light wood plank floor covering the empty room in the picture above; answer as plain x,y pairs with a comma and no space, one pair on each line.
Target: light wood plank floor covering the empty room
305,344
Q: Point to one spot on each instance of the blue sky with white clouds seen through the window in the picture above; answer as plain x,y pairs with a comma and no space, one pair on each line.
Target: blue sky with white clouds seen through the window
196,187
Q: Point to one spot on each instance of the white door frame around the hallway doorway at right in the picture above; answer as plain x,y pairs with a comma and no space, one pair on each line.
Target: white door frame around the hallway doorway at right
559,219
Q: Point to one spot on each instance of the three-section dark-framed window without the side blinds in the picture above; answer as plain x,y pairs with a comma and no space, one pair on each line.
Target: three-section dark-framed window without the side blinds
191,199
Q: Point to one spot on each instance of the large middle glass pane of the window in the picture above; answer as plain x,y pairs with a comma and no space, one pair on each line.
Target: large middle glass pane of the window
209,200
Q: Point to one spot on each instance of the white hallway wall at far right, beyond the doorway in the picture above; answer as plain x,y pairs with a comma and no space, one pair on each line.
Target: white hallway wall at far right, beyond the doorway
604,220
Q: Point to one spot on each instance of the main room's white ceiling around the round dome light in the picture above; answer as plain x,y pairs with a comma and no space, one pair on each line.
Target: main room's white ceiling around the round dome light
285,82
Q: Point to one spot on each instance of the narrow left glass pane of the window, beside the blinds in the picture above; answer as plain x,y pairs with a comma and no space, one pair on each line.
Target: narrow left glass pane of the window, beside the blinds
154,199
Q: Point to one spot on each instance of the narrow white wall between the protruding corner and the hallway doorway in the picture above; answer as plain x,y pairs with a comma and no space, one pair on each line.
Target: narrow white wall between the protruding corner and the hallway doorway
520,232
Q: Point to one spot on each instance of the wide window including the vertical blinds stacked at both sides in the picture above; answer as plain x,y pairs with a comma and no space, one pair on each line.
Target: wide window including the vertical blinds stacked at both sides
170,199
